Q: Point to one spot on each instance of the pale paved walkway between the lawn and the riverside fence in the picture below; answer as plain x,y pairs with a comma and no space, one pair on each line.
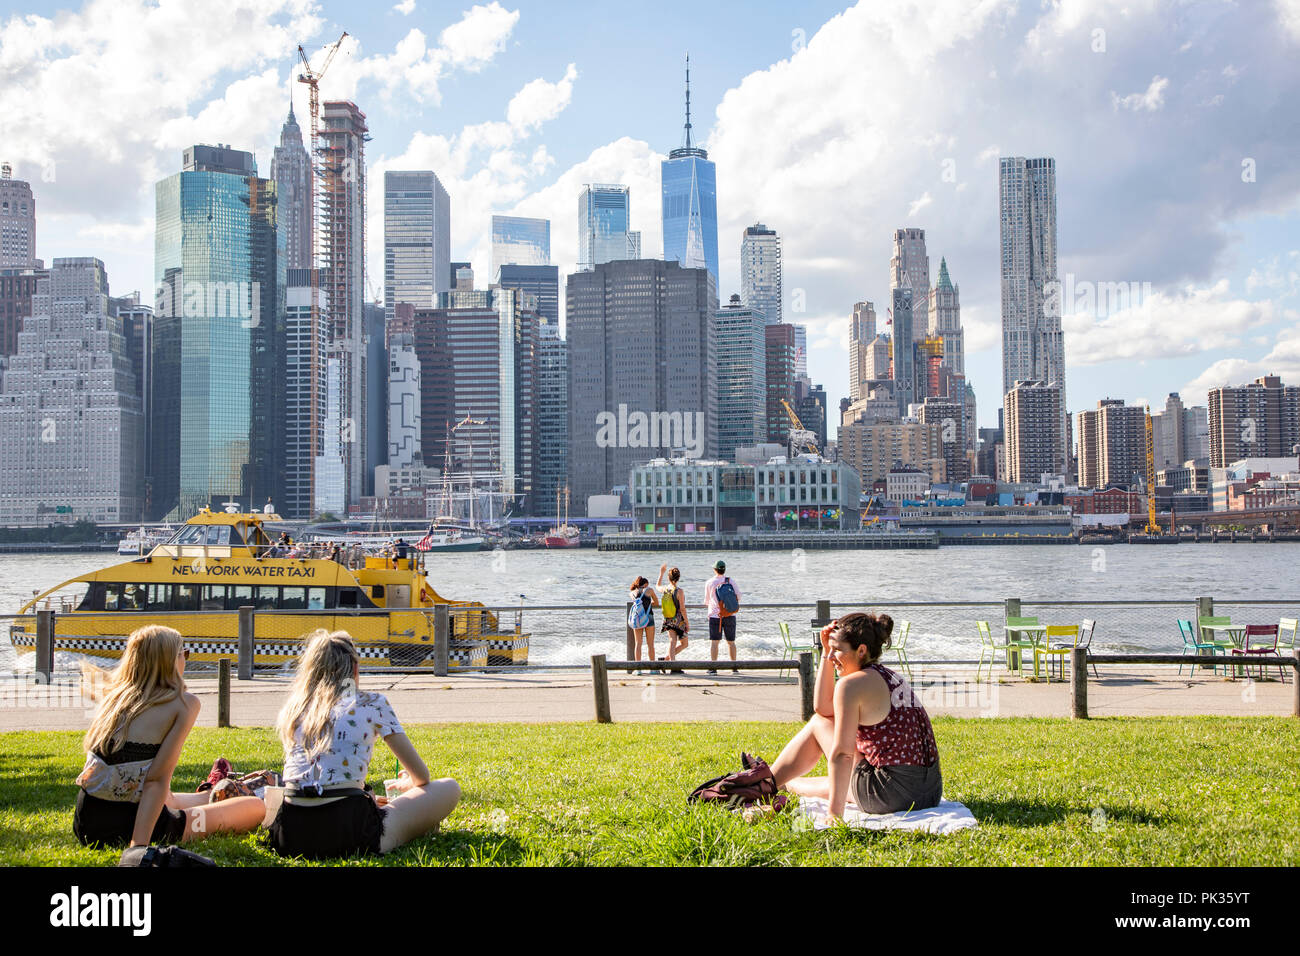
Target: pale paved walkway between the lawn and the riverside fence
567,697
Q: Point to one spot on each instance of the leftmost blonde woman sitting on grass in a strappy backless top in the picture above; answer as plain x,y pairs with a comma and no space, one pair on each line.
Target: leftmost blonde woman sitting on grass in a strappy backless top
132,751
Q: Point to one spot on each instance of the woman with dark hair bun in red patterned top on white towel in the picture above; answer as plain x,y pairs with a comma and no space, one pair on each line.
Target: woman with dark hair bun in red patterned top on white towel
870,726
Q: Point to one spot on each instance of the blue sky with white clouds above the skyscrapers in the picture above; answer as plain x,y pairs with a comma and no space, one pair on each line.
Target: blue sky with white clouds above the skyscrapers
833,124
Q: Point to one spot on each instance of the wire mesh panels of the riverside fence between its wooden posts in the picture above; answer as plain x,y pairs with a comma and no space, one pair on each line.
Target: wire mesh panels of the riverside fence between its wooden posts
510,638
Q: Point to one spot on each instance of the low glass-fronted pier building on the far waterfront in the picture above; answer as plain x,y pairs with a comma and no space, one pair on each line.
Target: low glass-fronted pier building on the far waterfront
783,494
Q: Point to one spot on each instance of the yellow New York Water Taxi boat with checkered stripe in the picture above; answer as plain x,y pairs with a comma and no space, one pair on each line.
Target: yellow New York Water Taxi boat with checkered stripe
219,563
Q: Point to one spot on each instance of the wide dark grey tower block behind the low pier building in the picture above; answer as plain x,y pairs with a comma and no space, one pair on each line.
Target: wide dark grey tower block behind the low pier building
643,370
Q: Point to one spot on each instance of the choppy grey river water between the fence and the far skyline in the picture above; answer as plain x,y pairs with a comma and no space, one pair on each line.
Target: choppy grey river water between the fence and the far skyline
1038,574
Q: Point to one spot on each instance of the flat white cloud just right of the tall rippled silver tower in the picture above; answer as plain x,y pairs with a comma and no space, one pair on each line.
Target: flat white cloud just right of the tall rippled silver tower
1165,326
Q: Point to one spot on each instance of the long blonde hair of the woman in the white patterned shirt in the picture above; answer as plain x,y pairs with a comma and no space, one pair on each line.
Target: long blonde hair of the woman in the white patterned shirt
326,676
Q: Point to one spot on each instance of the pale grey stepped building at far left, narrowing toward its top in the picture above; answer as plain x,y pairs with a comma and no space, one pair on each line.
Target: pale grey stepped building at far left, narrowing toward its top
70,413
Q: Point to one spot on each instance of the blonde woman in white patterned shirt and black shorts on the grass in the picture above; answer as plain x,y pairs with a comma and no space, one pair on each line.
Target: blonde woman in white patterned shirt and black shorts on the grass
330,729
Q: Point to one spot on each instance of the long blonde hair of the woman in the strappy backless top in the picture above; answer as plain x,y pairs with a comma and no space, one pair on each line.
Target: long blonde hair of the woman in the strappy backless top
145,678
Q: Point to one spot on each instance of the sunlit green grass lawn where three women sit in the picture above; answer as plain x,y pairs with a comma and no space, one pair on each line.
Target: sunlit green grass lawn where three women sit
1172,791
